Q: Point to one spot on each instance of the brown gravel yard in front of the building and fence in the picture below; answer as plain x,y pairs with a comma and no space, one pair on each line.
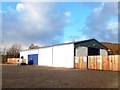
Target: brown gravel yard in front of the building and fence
31,76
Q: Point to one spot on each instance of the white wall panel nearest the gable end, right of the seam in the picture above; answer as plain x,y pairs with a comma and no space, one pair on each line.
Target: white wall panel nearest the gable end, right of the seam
63,56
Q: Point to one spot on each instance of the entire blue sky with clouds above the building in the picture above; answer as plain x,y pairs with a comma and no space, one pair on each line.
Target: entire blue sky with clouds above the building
58,22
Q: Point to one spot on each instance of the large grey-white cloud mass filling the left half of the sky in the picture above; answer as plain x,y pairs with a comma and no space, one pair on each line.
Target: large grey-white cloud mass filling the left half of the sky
35,24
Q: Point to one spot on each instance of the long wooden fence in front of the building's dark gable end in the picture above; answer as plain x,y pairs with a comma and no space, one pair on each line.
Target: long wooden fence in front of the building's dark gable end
110,62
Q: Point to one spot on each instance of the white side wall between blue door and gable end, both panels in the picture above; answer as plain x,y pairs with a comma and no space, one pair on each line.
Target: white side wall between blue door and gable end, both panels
57,56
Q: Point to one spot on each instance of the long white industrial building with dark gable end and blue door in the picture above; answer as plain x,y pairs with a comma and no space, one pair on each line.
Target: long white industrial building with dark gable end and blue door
62,55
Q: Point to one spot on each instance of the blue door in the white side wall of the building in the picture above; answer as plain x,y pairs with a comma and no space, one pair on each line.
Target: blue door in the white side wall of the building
33,59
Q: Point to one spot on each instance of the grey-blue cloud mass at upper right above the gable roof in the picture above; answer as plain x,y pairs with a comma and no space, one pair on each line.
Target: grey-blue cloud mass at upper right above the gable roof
98,23
